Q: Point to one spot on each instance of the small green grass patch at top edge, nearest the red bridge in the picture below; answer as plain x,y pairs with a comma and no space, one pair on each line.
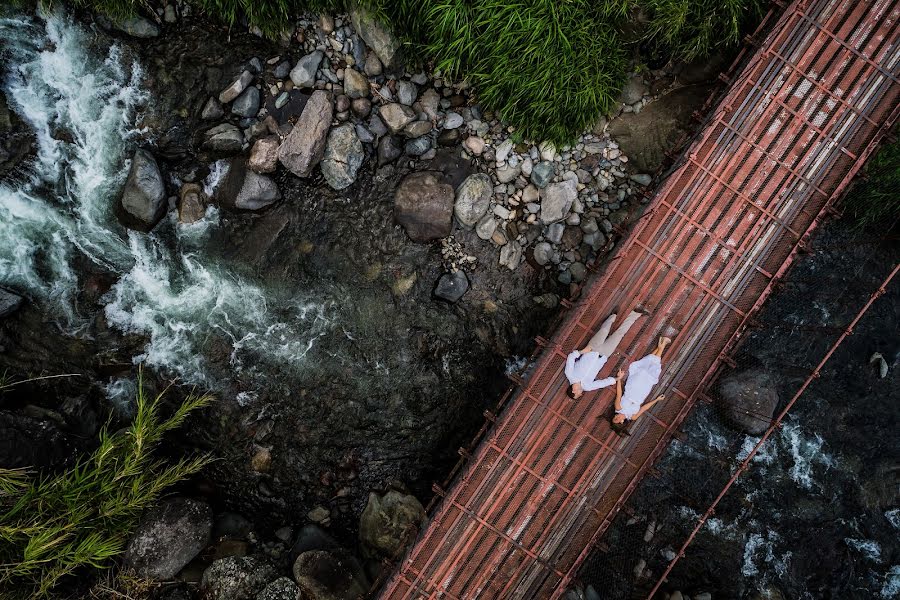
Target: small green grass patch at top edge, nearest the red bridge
692,29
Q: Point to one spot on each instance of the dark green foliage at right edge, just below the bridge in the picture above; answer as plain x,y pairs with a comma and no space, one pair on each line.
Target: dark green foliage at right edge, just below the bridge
875,201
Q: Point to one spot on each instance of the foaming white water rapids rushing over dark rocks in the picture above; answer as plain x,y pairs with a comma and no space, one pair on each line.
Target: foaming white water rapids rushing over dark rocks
82,100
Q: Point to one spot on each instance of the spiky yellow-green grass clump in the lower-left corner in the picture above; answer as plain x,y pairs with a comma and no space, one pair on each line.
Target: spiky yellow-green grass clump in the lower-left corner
54,525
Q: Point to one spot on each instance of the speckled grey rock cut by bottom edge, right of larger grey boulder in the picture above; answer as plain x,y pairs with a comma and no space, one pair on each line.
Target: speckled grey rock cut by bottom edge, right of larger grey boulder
236,578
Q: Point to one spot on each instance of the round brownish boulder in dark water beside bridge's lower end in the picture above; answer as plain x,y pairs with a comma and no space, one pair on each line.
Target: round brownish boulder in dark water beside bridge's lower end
389,522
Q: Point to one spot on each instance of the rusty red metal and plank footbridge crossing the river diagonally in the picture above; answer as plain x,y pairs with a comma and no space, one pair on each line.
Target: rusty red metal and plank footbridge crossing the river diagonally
546,480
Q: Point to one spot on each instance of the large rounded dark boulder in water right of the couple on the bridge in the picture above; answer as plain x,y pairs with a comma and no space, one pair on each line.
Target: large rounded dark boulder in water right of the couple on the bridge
749,399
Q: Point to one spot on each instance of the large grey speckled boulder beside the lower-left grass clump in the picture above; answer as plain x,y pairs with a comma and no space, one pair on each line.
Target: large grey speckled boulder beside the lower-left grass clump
168,537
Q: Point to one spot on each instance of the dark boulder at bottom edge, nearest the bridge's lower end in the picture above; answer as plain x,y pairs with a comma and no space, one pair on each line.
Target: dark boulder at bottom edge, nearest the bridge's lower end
324,575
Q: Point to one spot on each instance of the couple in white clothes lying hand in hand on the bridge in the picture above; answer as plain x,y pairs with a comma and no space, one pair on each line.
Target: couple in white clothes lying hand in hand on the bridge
582,367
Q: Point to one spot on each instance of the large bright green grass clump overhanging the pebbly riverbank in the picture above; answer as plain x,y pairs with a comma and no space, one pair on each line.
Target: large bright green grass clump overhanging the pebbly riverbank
548,67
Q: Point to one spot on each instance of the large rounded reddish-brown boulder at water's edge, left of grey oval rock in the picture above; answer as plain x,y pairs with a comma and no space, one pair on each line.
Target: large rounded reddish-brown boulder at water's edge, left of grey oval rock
423,206
